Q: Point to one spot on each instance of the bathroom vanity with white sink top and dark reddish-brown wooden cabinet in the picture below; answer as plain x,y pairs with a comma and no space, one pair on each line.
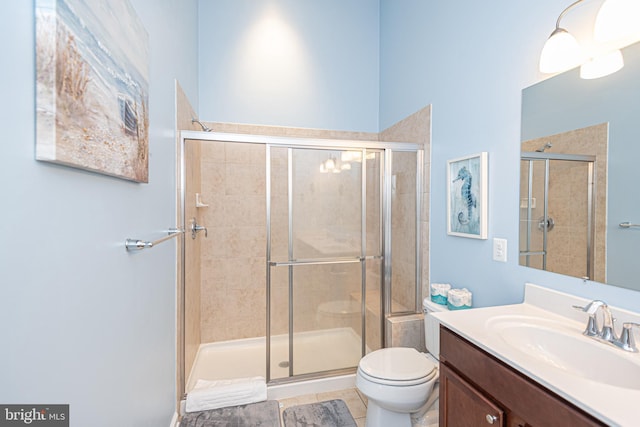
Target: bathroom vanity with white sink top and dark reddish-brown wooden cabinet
529,364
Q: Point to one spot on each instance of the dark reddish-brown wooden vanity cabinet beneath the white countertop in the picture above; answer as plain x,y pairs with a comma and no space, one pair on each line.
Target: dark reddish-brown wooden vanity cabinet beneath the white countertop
476,389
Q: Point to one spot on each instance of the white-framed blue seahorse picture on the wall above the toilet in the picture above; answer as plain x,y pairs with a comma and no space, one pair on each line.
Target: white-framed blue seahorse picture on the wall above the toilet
467,196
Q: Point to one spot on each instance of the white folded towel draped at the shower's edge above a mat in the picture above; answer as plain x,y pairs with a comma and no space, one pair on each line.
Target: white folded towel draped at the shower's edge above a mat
221,393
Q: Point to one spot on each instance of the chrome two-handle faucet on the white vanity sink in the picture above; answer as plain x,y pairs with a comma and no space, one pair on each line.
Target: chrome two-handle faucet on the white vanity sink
607,333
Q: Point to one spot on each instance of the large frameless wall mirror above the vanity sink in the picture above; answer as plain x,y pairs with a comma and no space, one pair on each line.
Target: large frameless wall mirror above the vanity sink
580,153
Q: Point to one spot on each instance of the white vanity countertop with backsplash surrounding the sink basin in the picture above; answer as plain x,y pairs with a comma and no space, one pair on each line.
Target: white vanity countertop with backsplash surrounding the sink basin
611,404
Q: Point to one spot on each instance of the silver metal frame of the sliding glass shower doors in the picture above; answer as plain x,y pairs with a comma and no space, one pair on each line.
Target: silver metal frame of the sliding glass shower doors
387,149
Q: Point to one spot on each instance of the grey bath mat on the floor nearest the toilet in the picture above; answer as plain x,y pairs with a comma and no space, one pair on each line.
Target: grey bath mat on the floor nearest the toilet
332,413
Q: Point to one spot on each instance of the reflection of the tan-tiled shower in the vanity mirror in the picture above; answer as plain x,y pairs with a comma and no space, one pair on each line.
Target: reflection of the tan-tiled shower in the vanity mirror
563,202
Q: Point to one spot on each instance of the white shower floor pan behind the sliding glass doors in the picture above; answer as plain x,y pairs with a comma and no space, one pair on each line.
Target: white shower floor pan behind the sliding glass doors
314,351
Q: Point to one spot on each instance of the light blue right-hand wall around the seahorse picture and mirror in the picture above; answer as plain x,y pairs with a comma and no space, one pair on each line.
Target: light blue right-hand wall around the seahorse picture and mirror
471,61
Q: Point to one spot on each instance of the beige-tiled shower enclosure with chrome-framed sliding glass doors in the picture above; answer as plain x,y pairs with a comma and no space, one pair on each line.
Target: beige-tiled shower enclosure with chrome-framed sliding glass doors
296,250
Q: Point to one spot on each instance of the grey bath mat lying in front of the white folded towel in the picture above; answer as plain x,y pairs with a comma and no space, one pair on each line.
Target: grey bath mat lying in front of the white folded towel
261,414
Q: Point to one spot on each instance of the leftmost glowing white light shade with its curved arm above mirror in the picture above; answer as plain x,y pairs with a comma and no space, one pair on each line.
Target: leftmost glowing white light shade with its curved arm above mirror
561,52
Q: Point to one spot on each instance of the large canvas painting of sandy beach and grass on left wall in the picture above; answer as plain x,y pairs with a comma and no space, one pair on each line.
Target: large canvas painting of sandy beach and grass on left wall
92,90
